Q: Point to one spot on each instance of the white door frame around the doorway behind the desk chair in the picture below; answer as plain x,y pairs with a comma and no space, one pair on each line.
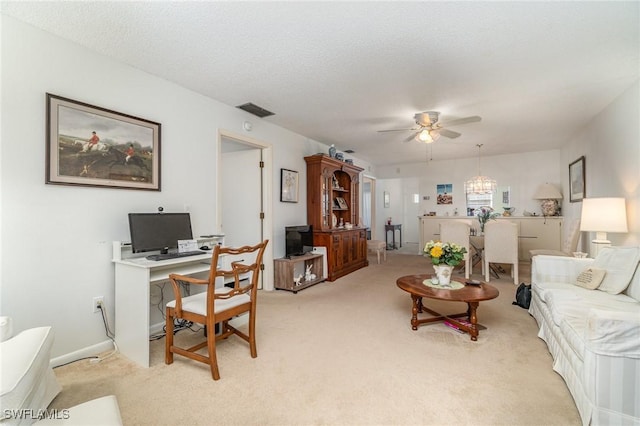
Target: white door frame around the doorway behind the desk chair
267,196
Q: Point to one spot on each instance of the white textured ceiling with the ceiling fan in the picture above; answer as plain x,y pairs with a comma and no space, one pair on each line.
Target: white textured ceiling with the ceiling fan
337,72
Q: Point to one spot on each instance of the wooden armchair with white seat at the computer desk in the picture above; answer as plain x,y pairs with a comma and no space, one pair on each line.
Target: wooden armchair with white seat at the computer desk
217,305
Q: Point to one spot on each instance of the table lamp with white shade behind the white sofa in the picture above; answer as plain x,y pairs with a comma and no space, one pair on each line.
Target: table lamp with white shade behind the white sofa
602,215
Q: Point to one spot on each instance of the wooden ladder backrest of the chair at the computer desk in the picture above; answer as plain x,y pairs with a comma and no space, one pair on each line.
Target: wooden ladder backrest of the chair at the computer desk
245,263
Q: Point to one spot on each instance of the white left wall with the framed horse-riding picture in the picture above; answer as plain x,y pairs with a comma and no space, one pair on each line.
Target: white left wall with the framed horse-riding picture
56,240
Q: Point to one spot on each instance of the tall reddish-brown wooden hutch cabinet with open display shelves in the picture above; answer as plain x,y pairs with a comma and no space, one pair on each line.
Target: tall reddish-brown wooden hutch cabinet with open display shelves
332,207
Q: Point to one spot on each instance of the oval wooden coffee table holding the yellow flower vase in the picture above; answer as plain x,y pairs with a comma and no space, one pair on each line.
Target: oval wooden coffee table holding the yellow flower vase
472,295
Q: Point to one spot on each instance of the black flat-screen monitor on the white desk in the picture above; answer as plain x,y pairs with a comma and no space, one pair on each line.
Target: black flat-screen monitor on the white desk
158,231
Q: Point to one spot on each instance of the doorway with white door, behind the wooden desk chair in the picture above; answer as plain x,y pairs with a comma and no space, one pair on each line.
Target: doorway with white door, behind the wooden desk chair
243,204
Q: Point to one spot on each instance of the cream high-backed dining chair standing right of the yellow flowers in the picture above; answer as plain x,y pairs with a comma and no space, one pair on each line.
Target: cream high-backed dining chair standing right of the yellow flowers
501,246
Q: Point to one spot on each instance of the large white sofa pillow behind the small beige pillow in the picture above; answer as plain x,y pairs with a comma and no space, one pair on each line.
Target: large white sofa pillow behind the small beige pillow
620,264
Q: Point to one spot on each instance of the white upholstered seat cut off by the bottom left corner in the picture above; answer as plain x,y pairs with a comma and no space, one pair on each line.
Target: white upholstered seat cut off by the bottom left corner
28,384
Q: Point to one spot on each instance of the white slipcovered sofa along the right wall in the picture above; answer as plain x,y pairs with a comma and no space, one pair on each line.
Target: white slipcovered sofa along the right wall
593,335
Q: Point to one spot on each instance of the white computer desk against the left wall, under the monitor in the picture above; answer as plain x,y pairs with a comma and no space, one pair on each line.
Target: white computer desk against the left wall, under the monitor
133,279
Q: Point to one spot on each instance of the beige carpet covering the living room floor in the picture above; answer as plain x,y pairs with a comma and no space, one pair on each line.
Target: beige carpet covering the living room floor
343,353
